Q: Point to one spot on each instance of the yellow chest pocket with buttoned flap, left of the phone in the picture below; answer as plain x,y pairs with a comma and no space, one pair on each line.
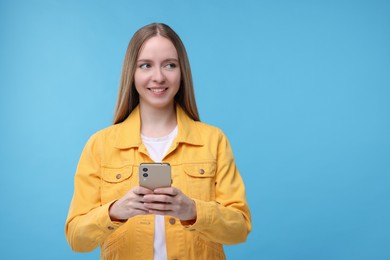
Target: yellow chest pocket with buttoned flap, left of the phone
115,182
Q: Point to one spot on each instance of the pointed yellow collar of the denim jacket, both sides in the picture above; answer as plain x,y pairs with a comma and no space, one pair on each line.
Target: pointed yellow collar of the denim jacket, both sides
129,131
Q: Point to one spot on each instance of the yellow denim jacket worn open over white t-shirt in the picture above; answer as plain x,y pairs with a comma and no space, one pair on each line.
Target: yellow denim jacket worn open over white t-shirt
203,168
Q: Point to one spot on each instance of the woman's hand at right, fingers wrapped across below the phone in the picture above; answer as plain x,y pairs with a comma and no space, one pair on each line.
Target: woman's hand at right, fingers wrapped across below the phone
170,201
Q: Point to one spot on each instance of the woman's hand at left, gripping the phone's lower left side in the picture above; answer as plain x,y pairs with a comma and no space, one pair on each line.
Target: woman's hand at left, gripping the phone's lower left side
130,205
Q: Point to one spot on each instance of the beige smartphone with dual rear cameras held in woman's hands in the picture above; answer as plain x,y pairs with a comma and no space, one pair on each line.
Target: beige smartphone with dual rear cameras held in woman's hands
155,175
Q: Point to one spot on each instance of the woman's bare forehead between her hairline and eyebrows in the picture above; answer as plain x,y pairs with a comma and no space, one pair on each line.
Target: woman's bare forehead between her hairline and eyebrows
158,47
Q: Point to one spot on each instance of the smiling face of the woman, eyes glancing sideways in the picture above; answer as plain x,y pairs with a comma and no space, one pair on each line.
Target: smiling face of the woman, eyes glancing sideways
157,77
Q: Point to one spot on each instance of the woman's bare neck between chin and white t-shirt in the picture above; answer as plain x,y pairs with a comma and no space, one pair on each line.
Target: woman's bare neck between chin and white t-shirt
157,122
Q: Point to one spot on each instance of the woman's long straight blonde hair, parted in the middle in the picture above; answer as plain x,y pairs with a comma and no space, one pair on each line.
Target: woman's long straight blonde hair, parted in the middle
128,97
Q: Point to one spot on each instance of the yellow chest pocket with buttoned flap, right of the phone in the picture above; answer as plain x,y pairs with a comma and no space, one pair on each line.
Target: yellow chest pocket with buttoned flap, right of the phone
200,180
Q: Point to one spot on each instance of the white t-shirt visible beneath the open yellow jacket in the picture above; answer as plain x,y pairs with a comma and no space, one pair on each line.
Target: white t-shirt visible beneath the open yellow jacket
157,148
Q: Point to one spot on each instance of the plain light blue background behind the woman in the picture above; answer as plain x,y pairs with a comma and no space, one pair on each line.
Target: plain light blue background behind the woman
301,88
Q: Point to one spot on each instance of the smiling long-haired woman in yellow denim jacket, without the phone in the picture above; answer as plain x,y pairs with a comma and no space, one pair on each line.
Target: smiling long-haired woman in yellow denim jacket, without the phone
156,119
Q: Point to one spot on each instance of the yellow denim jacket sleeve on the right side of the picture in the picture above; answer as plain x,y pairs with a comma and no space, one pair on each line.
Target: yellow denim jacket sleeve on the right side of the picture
226,220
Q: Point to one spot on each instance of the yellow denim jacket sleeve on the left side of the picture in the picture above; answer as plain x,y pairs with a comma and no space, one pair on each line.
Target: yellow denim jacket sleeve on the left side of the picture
88,222
